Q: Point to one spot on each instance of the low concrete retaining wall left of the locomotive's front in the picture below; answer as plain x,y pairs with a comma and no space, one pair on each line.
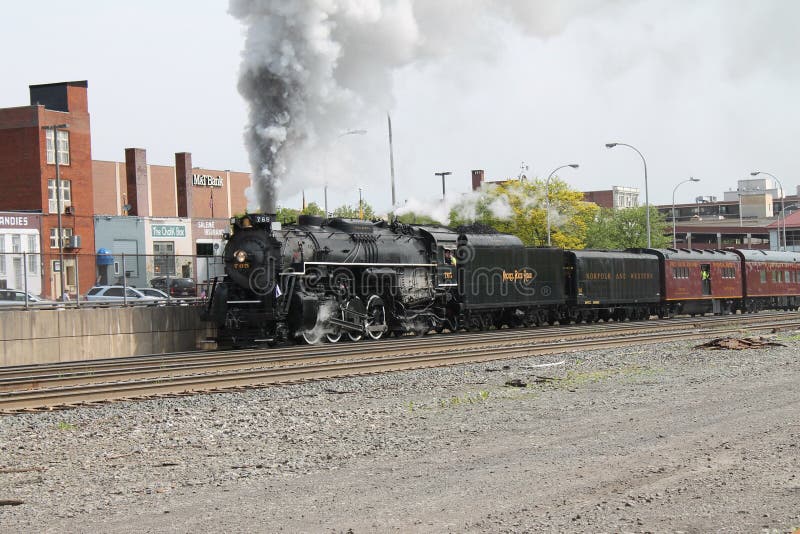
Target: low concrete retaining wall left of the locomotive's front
47,336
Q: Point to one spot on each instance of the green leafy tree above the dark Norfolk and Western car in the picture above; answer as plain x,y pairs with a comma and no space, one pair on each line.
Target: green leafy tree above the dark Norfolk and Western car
627,228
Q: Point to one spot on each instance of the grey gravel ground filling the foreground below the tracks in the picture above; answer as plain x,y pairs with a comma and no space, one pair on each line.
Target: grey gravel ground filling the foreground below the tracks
653,438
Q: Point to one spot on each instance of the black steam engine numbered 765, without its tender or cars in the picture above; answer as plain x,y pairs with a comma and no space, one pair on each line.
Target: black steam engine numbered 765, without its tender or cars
329,278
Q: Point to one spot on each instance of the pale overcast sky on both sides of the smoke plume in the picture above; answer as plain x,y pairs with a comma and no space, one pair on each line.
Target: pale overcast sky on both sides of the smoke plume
702,88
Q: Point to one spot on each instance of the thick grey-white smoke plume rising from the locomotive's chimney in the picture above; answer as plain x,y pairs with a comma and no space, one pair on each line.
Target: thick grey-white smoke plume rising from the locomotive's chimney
312,68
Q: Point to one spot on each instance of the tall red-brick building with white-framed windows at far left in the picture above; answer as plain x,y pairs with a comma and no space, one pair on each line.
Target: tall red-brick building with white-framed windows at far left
28,175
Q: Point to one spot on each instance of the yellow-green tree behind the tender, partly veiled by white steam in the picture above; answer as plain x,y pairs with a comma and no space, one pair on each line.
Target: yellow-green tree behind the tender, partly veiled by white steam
519,208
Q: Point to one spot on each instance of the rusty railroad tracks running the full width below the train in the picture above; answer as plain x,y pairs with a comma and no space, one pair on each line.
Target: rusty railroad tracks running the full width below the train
68,385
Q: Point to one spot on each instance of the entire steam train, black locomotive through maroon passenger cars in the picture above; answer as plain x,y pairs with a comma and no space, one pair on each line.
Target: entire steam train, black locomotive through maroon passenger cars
324,279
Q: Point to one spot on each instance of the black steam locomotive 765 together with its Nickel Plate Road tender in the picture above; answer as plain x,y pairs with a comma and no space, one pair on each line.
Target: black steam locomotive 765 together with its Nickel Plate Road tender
328,278
